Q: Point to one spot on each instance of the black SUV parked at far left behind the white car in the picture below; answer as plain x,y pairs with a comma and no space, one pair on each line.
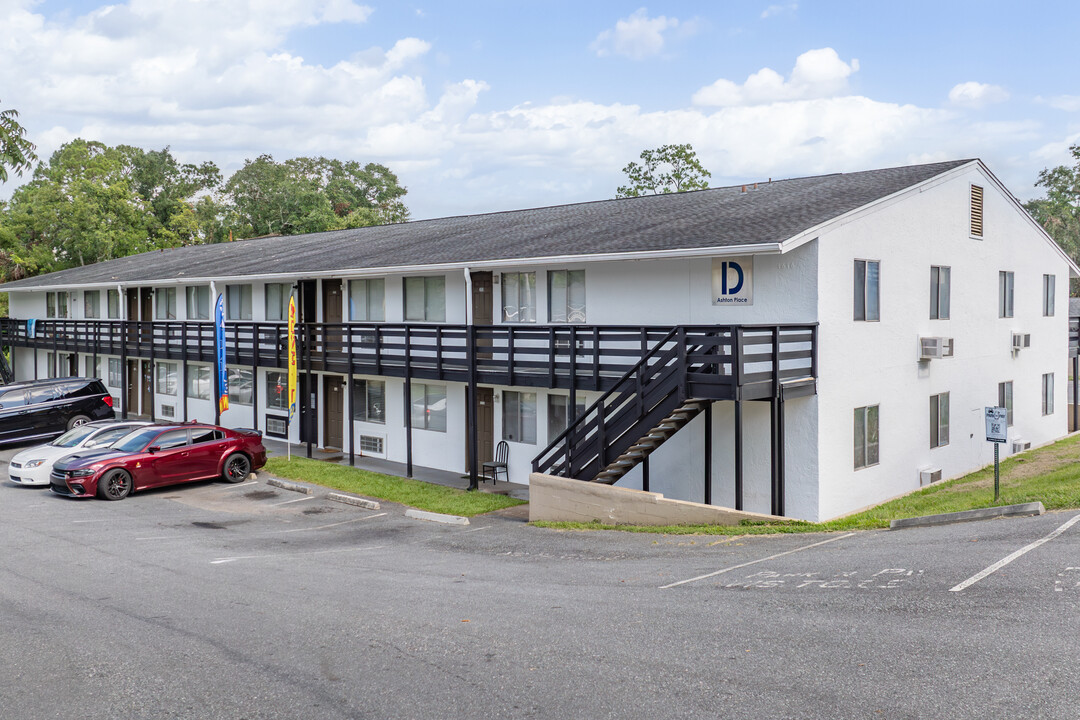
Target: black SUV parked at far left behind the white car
44,409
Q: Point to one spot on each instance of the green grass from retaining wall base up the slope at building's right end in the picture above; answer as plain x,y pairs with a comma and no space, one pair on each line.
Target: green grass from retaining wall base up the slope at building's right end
1049,474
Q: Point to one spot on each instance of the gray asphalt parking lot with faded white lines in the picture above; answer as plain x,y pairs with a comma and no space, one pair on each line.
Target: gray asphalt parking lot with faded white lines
211,601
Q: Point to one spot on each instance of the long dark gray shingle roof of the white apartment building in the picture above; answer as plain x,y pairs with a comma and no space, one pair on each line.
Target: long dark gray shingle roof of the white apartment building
721,218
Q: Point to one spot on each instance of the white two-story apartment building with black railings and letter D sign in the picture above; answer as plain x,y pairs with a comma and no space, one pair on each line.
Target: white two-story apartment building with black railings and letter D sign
803,347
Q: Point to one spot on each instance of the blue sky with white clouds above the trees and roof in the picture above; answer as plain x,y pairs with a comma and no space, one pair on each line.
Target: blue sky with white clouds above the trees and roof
485,106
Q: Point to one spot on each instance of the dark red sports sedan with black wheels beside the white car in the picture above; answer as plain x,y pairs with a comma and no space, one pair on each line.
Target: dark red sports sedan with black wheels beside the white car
160,455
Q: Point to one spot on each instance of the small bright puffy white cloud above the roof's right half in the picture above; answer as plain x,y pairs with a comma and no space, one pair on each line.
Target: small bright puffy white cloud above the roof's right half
817,74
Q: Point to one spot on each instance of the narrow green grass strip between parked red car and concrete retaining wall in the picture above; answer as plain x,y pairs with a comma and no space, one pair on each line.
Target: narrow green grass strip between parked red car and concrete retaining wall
414,494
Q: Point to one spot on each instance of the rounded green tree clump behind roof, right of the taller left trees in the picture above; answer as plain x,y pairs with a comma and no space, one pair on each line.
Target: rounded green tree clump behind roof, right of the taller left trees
312,195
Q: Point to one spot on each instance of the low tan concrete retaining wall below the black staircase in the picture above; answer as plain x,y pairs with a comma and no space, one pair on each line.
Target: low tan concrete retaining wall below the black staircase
560,499
